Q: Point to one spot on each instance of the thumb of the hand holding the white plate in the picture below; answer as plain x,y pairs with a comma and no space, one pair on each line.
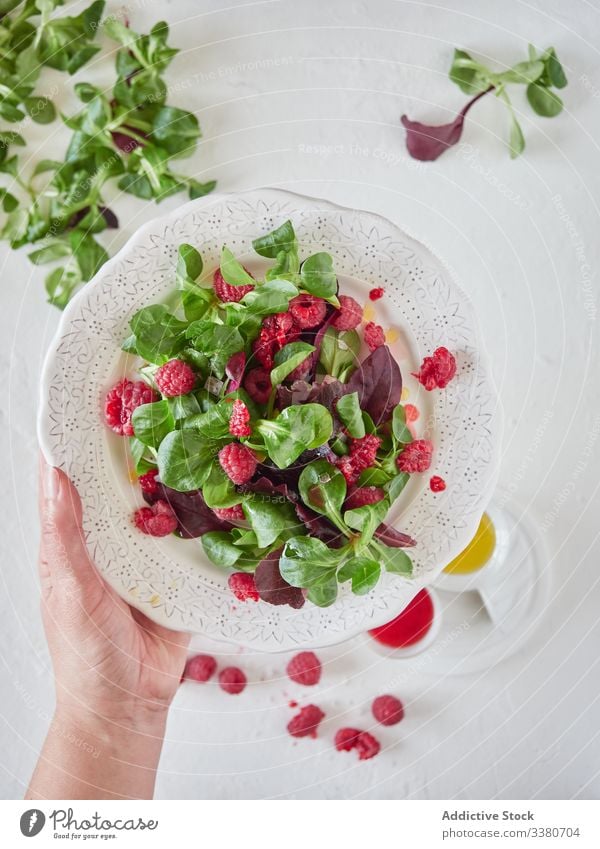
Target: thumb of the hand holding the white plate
64,559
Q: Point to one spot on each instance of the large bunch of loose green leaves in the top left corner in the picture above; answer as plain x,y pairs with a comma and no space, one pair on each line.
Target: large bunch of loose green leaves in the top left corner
131,135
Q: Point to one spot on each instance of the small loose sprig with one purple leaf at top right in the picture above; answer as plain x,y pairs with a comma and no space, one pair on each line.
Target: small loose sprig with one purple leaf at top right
541,73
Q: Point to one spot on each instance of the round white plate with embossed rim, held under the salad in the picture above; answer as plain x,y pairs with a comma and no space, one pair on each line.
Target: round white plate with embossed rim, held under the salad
170,579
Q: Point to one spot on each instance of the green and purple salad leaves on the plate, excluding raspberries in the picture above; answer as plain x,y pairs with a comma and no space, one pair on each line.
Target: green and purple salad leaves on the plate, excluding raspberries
294,507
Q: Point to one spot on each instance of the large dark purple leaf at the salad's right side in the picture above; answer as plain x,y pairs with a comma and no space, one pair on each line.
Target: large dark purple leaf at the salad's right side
379,384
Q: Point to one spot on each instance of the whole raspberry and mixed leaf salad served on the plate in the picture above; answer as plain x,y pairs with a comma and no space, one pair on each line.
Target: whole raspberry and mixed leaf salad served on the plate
265,418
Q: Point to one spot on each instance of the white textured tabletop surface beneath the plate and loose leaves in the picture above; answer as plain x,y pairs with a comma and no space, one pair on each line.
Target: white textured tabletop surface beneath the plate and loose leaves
307,96
